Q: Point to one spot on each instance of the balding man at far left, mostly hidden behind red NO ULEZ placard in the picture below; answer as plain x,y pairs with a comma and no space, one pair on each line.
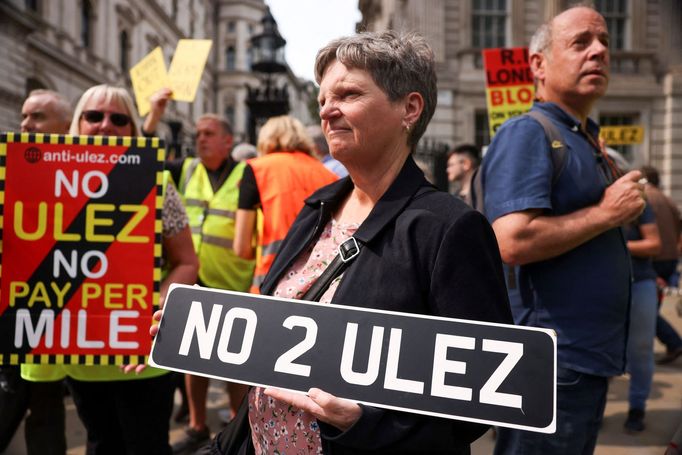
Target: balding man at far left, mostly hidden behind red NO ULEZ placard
36,388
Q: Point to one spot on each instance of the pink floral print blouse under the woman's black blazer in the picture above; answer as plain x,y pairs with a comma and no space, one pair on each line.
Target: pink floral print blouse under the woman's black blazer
276,427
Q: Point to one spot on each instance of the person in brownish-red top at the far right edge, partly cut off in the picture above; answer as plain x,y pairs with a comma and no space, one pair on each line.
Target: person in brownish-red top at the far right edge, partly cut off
669,224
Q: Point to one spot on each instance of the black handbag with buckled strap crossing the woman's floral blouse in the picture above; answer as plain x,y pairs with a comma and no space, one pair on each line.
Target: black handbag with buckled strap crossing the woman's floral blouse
235,439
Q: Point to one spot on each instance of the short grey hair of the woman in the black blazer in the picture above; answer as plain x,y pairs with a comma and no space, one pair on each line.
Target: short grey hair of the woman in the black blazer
399,63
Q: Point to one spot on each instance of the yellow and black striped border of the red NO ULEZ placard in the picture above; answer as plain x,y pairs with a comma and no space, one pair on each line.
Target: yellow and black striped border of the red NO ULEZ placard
153,143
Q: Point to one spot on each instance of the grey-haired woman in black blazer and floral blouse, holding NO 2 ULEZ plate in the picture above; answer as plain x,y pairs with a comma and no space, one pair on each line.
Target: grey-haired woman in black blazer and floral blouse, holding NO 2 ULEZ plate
420,250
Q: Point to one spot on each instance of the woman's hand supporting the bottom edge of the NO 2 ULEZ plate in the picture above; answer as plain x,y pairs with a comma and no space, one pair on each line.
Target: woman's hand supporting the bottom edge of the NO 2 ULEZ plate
324,406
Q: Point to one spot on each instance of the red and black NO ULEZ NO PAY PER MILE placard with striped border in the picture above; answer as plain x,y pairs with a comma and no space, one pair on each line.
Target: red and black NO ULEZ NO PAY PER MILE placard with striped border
81,247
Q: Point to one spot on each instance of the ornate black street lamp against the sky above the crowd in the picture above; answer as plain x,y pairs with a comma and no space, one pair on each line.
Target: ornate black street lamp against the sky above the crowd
268,60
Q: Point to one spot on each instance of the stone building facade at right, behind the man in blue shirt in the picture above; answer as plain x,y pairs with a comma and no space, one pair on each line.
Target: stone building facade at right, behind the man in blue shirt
646,66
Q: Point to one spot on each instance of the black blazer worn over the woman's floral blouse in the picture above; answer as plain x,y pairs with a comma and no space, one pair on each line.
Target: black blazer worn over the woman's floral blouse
425,252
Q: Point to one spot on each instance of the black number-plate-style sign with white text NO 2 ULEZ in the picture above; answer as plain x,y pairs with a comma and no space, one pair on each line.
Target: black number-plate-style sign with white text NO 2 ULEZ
467,370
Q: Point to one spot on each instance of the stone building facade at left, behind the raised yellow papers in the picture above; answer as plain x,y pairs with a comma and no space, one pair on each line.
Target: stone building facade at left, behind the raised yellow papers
70,45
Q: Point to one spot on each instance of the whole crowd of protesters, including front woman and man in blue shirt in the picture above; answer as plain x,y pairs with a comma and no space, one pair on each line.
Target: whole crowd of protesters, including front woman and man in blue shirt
571,242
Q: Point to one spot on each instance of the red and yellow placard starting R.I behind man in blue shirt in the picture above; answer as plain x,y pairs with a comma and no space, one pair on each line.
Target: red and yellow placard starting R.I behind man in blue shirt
509,84
